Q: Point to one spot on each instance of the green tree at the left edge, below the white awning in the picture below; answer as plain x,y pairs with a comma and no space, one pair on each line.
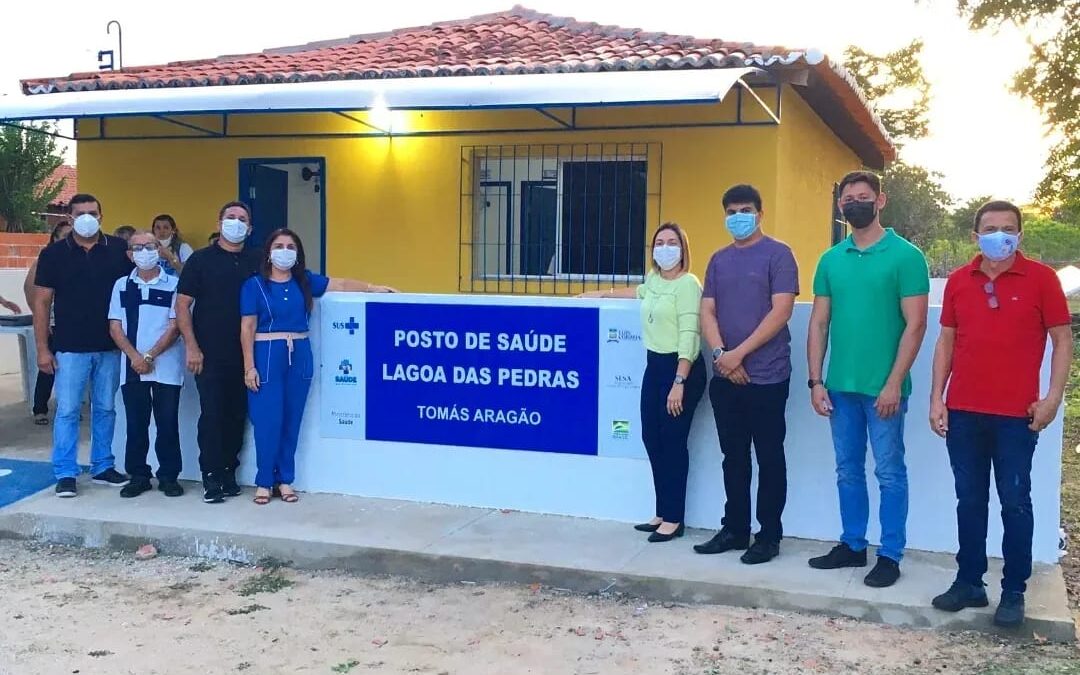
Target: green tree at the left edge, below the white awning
28,163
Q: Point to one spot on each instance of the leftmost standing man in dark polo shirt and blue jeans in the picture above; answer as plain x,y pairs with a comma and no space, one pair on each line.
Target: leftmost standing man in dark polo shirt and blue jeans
75,277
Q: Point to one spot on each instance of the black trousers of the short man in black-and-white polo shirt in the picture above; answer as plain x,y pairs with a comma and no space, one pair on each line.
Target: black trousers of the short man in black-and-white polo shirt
141,399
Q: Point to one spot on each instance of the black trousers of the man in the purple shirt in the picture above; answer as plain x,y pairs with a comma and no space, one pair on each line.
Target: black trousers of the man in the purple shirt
746,415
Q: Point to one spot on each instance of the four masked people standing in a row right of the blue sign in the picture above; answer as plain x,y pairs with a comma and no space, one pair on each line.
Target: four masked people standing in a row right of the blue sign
870,315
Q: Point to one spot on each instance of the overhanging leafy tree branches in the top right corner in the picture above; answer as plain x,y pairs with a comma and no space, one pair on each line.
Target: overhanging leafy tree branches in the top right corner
1051,80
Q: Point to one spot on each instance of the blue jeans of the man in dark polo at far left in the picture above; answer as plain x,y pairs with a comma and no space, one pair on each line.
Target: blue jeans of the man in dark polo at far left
74,372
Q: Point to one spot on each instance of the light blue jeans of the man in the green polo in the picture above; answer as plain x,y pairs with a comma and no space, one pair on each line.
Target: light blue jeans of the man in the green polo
854,420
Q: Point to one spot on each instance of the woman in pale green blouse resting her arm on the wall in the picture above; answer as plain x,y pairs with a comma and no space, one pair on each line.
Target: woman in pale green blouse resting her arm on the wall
674,377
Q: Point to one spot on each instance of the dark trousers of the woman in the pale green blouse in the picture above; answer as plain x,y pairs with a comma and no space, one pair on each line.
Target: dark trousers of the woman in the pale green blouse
665,437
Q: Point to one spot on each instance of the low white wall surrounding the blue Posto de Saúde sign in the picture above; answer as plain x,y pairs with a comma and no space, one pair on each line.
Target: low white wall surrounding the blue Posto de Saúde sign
616,483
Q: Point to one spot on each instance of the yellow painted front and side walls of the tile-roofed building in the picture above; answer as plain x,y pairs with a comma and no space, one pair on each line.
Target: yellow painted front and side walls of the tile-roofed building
394,204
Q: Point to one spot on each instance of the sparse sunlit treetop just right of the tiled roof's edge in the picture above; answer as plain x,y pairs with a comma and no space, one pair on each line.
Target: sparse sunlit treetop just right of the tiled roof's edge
897,88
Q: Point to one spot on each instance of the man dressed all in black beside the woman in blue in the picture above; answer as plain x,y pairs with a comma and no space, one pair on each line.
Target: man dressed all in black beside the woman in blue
208,313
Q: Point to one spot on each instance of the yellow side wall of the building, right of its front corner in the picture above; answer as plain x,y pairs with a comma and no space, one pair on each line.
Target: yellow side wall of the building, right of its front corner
812,159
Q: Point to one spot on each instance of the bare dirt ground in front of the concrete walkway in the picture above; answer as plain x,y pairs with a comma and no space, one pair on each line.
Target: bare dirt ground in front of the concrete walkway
67,611
